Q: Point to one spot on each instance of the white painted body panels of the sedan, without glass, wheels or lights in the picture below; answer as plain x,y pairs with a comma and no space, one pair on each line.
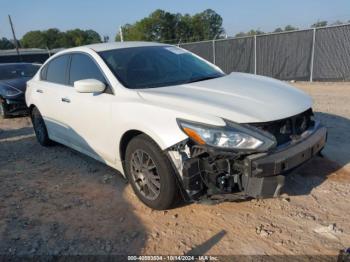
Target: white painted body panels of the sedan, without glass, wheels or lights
95,124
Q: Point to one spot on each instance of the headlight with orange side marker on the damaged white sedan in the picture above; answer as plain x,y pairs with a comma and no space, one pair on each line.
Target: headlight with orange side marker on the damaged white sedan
231,136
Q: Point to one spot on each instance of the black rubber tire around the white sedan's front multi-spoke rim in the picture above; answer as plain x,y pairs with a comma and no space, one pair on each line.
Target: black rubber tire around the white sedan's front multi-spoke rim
168,190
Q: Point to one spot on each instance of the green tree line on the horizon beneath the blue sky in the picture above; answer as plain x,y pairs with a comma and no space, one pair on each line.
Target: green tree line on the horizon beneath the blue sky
159,26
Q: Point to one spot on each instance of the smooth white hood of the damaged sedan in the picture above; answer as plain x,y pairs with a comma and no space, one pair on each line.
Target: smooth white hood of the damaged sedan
239,97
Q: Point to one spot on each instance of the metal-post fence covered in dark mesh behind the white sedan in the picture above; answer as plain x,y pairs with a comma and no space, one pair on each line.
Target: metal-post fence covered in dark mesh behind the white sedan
321,54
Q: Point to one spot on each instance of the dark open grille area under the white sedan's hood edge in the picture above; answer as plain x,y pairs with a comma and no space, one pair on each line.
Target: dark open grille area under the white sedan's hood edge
286,129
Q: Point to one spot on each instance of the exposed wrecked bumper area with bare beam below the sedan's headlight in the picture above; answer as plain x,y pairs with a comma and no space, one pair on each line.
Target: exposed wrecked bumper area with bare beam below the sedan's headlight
206,173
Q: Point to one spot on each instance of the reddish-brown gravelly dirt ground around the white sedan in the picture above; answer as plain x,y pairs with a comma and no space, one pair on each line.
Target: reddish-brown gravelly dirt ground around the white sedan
57,201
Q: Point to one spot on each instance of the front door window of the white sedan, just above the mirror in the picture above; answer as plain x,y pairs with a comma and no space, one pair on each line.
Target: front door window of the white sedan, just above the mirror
83,67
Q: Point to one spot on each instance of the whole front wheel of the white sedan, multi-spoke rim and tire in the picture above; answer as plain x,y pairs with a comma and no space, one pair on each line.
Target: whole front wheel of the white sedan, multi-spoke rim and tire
150,173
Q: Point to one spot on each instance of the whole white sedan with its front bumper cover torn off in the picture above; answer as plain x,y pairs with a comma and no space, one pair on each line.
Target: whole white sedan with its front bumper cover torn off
173,123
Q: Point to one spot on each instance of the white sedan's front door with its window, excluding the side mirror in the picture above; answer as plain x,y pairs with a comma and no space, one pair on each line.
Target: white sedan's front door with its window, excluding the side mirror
89,113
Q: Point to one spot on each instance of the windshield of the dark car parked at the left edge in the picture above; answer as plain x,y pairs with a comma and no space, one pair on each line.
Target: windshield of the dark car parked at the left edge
17,71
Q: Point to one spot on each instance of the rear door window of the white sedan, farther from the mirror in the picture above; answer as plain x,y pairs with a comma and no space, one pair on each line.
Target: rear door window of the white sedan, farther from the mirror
57,69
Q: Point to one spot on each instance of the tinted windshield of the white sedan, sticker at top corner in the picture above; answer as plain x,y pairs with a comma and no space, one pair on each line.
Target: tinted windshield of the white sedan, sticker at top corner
157,66
